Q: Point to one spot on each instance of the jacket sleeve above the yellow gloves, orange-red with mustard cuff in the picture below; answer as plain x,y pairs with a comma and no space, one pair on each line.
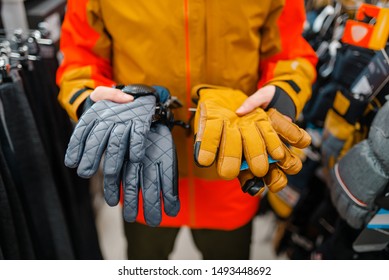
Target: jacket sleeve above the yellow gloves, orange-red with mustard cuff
288,60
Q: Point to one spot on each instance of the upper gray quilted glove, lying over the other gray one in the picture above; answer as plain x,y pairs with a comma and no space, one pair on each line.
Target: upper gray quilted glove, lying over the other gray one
118,129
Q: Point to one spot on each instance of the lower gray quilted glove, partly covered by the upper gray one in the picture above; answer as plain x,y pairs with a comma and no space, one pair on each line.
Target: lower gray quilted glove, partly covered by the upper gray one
156,173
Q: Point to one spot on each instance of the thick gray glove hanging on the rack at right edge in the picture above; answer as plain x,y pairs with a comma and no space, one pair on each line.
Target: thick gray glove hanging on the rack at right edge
362,174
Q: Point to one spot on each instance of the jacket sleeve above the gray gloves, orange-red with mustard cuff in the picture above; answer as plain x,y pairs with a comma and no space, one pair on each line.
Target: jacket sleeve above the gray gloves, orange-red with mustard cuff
86,50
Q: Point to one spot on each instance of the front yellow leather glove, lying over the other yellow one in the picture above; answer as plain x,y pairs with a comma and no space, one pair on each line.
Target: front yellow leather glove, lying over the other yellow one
221,134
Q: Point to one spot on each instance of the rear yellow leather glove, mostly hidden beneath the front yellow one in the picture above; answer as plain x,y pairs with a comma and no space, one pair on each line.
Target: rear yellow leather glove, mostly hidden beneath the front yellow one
275,179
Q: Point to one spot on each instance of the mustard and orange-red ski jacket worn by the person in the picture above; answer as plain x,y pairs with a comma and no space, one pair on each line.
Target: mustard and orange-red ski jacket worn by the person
178,44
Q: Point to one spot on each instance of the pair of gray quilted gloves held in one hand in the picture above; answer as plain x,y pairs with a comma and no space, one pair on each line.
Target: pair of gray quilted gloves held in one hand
142,153
